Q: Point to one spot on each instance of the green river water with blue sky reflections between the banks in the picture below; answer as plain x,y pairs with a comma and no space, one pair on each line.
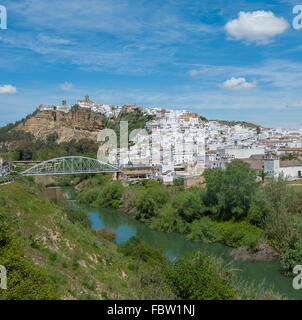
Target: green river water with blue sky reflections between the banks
174,244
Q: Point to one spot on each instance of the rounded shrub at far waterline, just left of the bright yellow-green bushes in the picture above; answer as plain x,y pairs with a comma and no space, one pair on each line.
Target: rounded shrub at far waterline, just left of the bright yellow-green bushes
204,230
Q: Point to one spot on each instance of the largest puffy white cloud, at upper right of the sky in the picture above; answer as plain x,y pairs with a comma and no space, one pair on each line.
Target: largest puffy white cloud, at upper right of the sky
260,26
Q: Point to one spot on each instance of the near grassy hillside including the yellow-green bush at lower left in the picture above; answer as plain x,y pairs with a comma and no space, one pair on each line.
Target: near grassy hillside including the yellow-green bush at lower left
53,254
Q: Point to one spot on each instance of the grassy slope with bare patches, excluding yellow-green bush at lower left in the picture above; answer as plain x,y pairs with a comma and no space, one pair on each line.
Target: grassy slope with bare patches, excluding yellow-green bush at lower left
79,262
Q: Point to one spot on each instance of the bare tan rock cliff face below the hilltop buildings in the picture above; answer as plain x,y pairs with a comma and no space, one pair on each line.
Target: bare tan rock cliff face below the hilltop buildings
78,123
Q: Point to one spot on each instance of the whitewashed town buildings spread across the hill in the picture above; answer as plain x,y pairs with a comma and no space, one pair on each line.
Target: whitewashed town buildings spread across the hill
181,139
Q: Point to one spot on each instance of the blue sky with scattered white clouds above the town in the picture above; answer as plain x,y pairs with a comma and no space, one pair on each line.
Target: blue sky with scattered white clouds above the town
233,60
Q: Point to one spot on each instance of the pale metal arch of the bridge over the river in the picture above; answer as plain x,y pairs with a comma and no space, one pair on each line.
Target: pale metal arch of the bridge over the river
70,165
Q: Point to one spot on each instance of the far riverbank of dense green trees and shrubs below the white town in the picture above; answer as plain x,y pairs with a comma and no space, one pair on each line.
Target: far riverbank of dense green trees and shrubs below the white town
261,221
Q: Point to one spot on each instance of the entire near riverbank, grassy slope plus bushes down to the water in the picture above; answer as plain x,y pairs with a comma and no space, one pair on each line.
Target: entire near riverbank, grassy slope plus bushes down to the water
62,257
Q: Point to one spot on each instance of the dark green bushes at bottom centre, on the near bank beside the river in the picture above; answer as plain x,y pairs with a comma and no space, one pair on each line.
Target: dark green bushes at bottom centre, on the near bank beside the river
190,277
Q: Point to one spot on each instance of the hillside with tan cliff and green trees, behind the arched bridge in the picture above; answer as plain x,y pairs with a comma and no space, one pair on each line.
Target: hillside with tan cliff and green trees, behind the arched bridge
48,134
